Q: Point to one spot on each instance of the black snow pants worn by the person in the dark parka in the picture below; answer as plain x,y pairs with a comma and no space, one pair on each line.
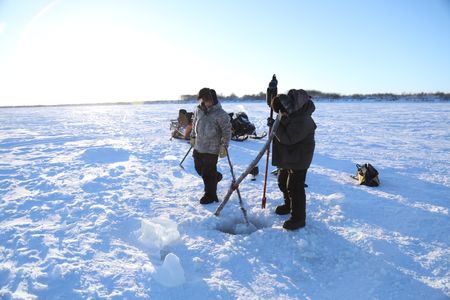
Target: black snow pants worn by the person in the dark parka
292,184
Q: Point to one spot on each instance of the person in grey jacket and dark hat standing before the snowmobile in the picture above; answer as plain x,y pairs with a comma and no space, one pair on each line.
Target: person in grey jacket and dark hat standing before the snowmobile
210,137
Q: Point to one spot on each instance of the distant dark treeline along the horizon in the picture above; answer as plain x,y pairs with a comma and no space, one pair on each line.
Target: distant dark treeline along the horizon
318,95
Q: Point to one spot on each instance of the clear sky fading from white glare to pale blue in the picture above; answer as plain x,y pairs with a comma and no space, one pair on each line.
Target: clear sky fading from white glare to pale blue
92,51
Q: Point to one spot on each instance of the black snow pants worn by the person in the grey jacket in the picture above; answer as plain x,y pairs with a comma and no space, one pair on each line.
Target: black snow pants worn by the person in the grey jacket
206,166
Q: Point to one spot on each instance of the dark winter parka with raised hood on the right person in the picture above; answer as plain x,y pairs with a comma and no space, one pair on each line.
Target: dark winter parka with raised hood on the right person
293,145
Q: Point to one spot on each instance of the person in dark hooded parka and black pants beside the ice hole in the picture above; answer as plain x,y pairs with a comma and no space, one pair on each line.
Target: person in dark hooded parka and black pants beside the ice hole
292,152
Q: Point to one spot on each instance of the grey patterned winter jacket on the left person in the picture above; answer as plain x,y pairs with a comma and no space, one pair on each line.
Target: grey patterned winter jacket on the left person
211,129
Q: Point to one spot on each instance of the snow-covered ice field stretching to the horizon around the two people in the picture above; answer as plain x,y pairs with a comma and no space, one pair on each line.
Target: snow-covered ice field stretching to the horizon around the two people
93,205
